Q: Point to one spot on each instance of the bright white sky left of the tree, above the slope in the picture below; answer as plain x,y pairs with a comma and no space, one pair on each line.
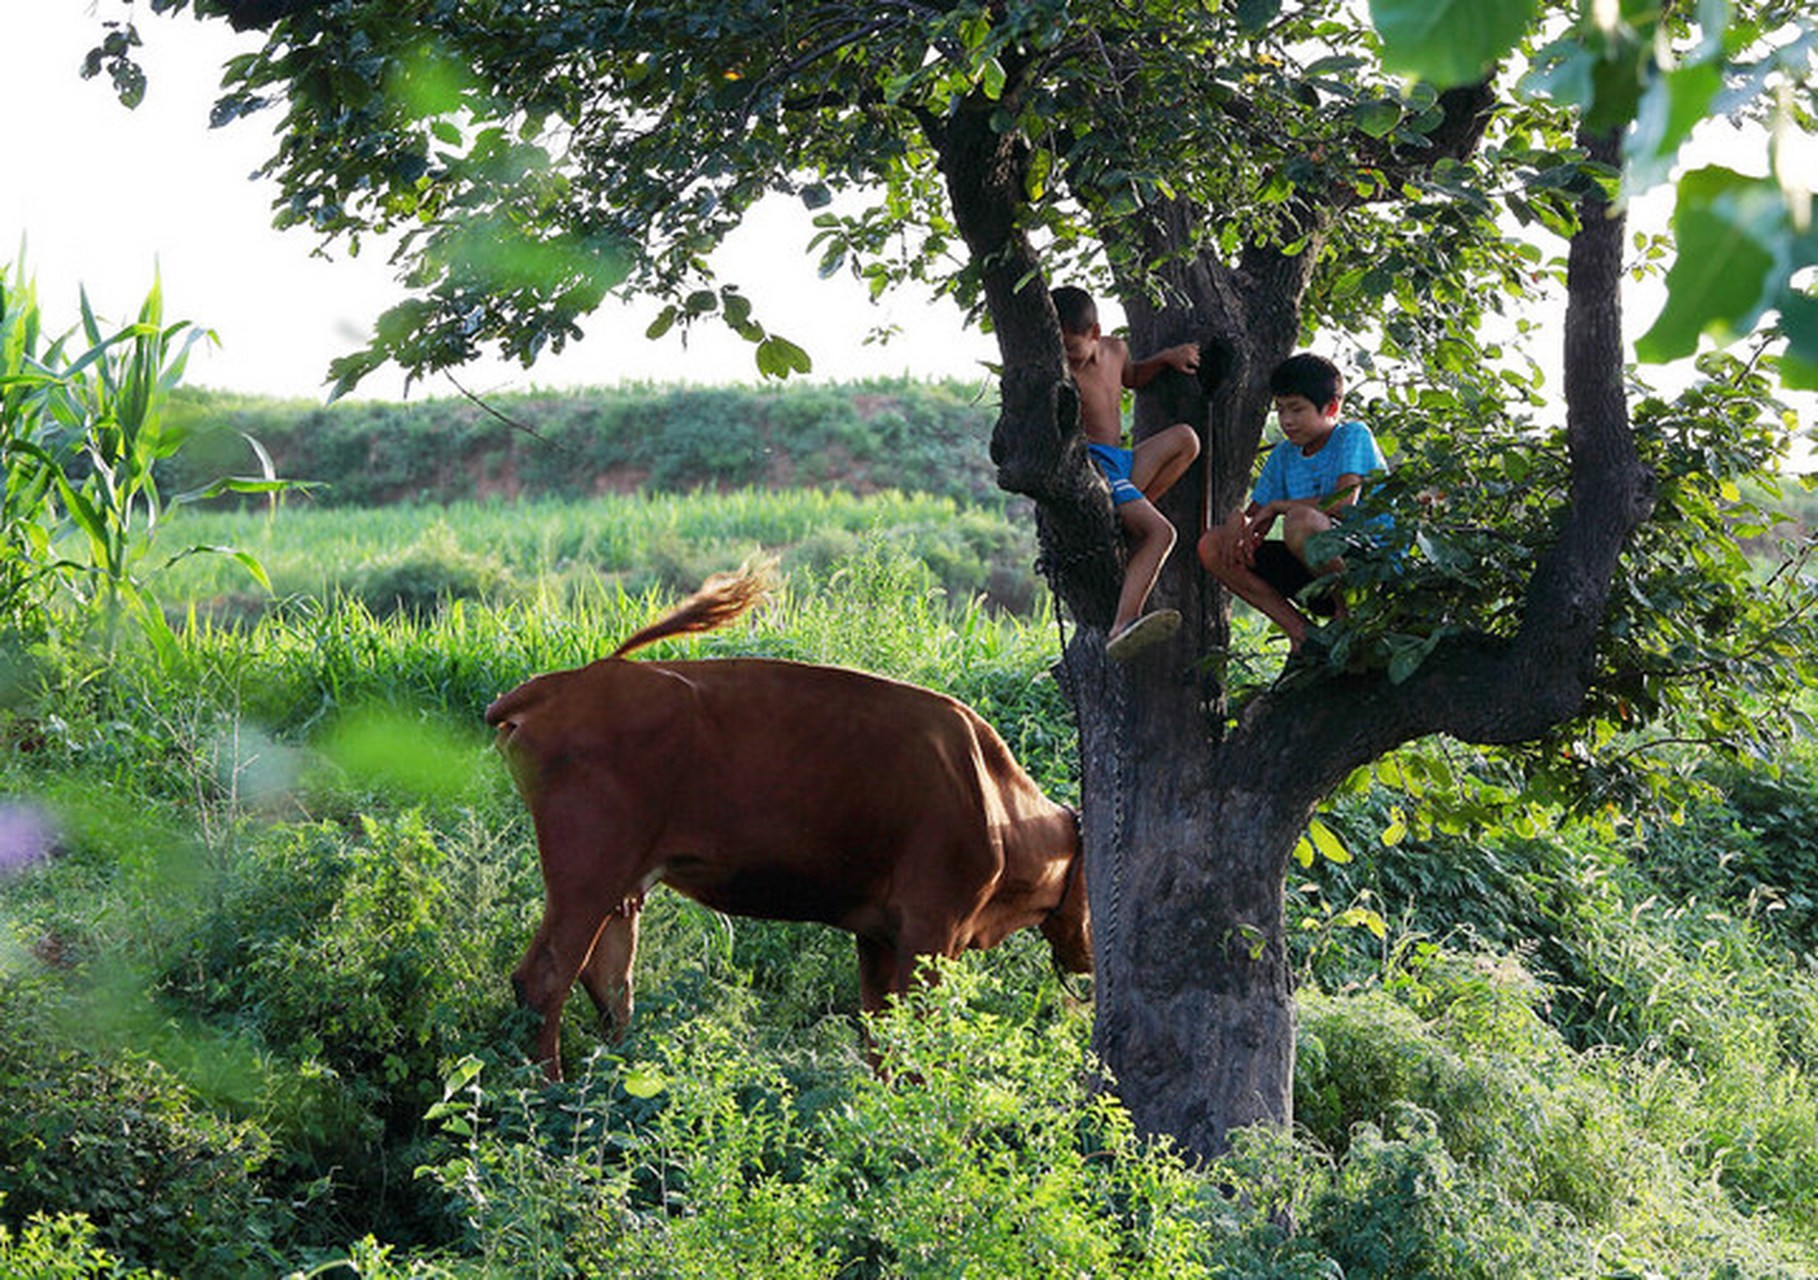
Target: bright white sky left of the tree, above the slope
105,197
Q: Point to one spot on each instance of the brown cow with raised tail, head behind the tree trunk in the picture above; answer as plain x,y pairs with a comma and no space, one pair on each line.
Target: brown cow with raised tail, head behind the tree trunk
774,790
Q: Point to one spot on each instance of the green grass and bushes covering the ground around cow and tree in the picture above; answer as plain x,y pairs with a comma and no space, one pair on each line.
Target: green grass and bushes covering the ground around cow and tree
257,1014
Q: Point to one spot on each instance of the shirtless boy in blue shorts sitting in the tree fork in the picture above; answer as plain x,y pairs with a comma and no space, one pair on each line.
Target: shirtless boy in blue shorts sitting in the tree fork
1101,370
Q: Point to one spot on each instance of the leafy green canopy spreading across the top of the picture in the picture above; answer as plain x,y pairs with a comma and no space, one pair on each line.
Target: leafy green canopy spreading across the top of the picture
530,159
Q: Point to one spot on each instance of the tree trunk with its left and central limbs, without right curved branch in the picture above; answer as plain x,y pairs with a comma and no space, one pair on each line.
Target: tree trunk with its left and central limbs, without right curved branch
1184,854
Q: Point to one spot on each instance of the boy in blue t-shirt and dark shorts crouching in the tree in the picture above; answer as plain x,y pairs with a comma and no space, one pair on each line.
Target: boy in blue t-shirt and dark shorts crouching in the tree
1308,483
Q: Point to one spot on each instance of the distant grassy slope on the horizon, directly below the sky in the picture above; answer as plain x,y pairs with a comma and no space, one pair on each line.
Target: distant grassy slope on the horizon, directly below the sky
855,437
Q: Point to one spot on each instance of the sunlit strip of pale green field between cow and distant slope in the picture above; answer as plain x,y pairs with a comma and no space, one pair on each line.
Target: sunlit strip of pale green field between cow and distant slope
414,559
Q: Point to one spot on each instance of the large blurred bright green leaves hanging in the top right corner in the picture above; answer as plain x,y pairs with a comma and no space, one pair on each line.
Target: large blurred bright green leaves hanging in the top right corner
1746,245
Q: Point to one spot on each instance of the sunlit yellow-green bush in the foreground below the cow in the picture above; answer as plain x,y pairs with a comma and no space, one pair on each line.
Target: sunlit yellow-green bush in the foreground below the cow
974,1150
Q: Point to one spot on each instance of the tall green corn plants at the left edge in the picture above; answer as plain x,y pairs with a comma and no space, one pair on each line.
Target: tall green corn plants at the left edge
83,430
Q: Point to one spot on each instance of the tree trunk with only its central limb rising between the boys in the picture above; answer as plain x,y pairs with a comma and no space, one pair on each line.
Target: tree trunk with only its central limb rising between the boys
1195,1010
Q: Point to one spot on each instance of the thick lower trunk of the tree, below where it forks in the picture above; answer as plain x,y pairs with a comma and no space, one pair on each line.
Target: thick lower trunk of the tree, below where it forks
1195,1015
